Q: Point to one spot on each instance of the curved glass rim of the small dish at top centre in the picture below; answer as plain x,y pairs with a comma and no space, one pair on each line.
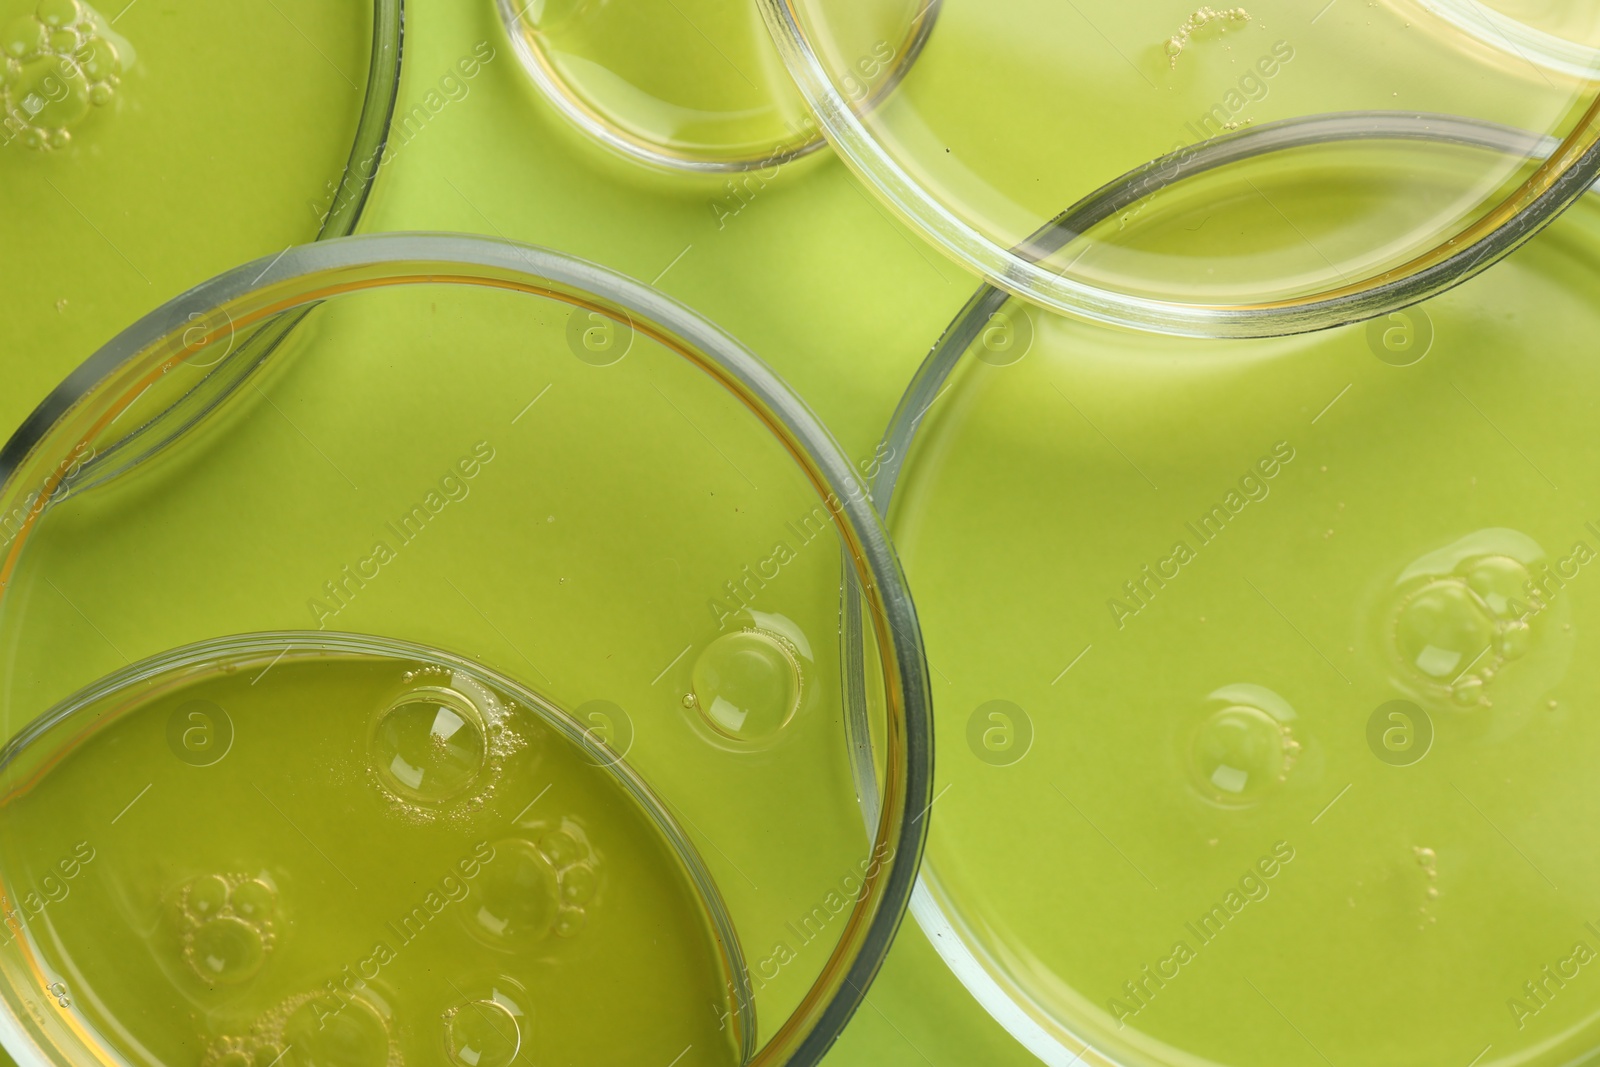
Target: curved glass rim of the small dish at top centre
599,129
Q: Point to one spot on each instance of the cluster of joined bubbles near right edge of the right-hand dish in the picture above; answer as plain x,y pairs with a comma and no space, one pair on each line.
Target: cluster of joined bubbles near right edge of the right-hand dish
1460,631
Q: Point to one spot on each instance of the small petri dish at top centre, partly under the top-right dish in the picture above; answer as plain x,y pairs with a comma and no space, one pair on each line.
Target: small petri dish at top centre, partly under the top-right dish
695,86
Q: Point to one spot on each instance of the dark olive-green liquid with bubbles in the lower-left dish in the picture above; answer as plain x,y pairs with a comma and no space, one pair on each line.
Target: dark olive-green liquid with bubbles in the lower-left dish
350,860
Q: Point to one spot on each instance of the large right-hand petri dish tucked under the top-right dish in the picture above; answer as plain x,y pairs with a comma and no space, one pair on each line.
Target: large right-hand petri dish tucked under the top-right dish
1260,676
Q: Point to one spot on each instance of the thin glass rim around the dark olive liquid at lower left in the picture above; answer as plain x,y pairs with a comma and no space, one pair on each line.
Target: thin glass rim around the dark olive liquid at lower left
263,645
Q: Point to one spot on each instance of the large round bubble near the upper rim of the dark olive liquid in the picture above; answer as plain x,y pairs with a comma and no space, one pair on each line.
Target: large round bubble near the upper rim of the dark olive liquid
430,746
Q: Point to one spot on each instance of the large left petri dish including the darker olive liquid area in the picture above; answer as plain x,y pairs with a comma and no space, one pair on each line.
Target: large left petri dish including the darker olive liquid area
386,538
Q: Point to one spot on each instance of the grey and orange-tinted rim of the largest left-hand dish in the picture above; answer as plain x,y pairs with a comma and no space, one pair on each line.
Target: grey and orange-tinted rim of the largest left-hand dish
110,382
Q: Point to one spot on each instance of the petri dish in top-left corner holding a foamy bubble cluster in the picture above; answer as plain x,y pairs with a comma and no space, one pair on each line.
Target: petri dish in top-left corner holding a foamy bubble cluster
126,129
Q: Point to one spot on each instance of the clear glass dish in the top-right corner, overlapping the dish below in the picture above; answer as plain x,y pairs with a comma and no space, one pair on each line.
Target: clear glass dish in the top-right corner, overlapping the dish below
988,142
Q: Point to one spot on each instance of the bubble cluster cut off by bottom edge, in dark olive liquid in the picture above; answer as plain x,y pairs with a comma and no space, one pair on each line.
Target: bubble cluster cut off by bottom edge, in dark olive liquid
350,1034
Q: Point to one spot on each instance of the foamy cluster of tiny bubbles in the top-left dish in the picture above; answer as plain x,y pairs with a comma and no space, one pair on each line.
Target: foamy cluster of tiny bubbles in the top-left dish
55,66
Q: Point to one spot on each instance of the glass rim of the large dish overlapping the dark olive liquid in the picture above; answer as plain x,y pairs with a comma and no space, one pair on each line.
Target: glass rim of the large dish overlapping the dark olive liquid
838,994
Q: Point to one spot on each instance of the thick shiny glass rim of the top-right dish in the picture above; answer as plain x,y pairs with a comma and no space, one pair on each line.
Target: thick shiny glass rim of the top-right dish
1566,175
